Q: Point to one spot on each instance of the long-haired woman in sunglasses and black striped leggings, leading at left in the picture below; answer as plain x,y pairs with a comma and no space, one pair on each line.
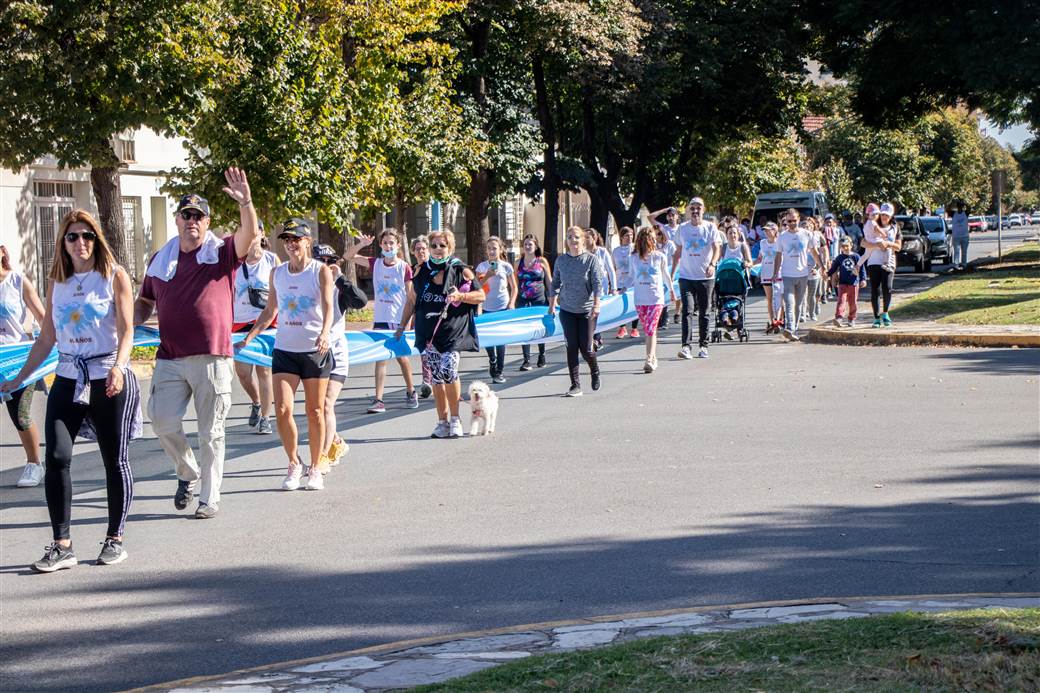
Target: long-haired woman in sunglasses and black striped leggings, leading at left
90,317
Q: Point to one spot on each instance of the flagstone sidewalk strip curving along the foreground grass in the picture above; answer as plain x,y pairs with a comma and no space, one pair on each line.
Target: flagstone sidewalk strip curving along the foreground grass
407,664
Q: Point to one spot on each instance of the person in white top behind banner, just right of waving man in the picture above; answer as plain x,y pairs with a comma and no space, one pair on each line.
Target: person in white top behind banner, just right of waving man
254,274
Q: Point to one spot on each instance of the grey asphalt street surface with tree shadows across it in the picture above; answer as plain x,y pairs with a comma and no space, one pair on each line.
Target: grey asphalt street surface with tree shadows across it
768,472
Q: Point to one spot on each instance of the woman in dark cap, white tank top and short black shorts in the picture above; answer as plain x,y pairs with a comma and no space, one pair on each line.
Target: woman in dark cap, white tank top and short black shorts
302,299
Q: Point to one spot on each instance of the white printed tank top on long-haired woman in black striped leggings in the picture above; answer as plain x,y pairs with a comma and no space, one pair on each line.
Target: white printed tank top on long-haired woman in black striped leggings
84,312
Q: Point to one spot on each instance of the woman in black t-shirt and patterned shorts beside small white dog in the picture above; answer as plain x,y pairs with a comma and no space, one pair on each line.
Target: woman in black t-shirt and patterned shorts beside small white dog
445,302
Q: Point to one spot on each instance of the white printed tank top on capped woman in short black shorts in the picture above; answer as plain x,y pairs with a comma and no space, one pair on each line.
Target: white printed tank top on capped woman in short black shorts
300,317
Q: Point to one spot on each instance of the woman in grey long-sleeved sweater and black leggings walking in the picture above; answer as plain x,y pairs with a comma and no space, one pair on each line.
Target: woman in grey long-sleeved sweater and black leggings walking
577,285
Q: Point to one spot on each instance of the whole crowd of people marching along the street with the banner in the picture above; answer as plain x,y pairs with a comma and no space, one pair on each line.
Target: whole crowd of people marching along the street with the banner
206,288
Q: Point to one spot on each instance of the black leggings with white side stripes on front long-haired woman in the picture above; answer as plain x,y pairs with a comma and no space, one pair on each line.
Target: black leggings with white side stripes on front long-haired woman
112,418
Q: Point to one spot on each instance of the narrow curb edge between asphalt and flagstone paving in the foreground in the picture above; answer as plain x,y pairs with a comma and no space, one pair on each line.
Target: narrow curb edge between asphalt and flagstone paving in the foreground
388,649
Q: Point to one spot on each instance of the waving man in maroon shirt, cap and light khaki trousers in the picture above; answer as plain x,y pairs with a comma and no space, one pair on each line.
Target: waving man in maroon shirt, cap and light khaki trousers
191,281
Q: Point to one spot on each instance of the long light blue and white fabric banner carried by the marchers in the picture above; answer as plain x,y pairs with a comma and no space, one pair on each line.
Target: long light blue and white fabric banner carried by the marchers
502,328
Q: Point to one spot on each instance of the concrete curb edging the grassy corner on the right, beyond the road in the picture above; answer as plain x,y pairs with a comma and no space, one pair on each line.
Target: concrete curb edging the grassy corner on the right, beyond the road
913,338
